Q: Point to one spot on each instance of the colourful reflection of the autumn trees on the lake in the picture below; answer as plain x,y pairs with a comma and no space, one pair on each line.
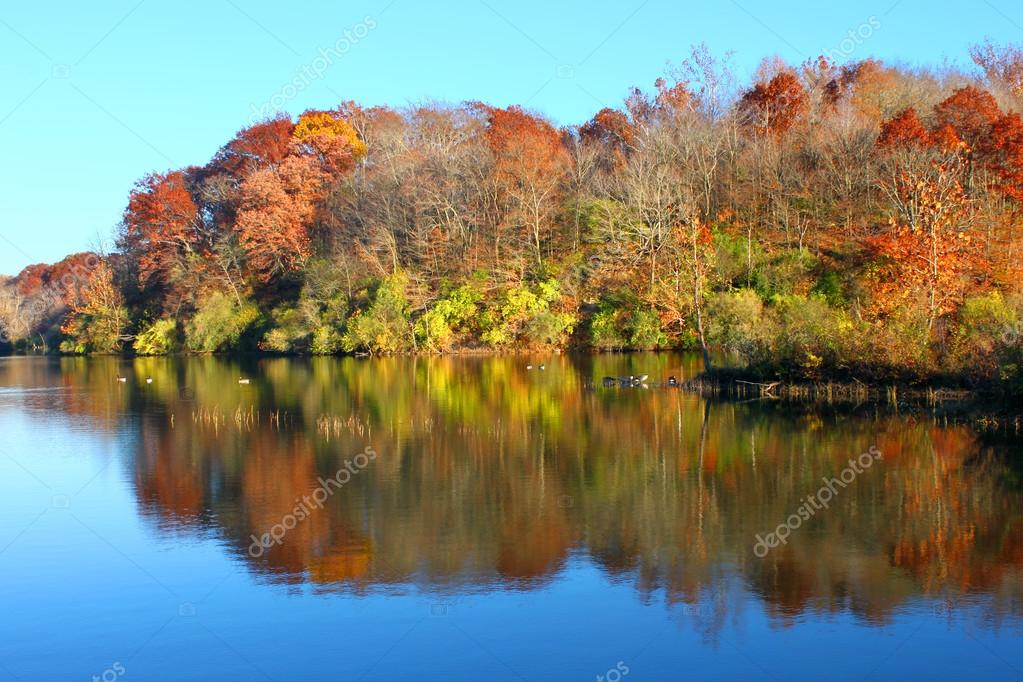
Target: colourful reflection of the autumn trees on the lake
492,477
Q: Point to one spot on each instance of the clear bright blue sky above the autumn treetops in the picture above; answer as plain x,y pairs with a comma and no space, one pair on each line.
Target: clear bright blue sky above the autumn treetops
97,95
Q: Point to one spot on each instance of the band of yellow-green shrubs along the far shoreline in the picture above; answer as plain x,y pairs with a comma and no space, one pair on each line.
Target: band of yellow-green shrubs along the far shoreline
795,340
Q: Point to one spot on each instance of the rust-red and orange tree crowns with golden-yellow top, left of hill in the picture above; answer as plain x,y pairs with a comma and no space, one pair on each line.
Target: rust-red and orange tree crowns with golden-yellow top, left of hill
269,181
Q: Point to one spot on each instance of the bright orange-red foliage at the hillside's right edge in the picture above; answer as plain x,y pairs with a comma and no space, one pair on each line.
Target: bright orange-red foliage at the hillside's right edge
932,241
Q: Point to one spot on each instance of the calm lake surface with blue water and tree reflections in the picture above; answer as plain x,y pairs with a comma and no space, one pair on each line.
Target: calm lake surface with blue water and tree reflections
506,525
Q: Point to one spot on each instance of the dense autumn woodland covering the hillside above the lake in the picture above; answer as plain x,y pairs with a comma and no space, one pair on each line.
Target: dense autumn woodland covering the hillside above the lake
855,221
